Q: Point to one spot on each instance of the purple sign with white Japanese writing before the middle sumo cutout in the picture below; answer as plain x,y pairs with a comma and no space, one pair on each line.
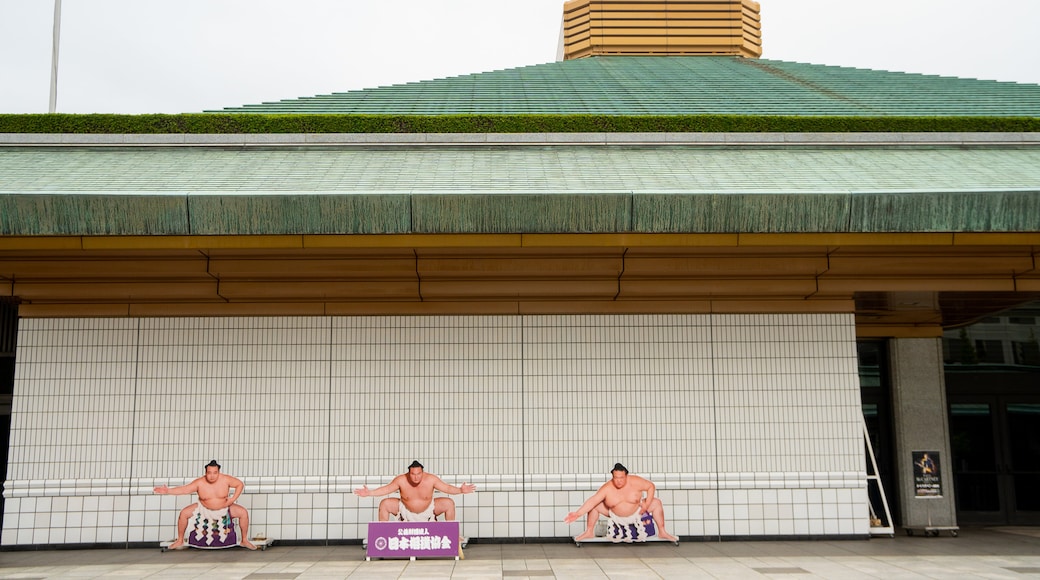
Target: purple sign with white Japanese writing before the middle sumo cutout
413,540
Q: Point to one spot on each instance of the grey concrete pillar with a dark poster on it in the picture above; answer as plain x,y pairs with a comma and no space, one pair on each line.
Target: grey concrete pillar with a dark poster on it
921,420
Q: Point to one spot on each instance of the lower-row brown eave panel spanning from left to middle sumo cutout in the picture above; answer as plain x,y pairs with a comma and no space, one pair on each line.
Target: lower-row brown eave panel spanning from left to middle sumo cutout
321,291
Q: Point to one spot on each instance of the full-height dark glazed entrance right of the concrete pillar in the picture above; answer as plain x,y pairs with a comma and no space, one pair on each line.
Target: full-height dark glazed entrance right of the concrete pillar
994,391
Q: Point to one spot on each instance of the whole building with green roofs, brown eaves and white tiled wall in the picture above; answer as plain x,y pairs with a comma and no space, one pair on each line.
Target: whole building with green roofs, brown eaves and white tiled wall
515,310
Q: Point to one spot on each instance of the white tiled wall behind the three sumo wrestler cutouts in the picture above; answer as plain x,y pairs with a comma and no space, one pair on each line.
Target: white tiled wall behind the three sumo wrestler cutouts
749,426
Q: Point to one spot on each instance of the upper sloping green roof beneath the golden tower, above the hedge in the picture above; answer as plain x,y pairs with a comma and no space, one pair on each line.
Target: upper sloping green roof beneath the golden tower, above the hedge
680,86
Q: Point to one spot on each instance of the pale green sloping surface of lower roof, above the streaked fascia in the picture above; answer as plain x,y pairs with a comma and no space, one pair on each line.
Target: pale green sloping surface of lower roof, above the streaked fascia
517,169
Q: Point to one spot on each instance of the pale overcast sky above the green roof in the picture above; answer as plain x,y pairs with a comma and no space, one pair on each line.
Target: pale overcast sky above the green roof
151,57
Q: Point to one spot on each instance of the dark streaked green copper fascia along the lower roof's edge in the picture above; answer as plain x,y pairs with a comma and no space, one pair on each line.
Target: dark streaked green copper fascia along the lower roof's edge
490,214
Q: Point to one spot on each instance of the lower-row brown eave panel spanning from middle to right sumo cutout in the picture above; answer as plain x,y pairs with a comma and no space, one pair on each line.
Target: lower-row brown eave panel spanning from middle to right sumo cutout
518,289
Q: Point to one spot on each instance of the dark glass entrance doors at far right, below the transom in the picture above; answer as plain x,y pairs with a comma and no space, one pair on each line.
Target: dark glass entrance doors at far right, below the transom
996,445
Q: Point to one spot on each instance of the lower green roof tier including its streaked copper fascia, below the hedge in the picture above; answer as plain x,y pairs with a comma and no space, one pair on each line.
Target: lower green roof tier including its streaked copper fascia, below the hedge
517,189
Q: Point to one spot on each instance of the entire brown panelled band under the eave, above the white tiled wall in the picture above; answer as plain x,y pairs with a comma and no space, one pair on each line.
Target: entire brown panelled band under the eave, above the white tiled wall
859,263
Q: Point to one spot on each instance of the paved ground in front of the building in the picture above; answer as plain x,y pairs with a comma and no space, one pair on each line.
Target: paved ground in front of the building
1012,553
